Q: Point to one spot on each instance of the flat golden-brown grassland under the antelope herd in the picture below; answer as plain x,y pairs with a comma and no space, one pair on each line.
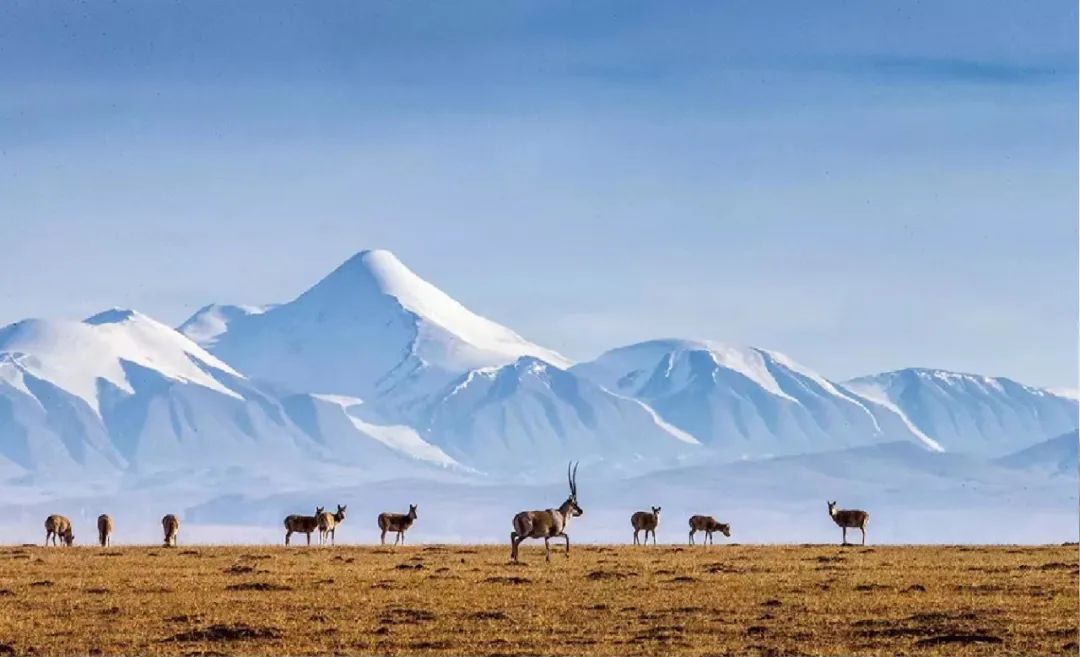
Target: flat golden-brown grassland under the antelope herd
604,600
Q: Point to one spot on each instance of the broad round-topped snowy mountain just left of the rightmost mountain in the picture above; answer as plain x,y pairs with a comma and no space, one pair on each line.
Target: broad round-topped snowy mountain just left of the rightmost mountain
745,403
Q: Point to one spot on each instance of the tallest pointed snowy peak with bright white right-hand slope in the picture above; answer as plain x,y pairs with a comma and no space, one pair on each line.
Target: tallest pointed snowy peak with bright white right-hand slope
372,329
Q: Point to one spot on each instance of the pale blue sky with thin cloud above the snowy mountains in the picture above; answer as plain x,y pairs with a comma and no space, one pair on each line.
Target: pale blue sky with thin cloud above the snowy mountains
862,186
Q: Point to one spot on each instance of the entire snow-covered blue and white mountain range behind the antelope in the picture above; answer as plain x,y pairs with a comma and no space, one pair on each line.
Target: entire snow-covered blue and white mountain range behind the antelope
374,373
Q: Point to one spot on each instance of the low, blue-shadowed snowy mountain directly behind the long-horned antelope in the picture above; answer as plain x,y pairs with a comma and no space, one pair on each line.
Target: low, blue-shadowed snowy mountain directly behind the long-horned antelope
531,415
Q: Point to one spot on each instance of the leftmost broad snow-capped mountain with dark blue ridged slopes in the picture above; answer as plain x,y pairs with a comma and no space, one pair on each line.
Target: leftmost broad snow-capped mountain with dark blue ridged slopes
121,394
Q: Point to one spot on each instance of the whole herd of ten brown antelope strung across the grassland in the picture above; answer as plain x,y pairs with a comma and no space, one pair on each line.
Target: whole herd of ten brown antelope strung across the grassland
546,525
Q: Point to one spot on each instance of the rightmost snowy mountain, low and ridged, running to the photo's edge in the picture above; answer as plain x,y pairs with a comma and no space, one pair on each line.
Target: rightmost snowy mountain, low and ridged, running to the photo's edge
973,413
